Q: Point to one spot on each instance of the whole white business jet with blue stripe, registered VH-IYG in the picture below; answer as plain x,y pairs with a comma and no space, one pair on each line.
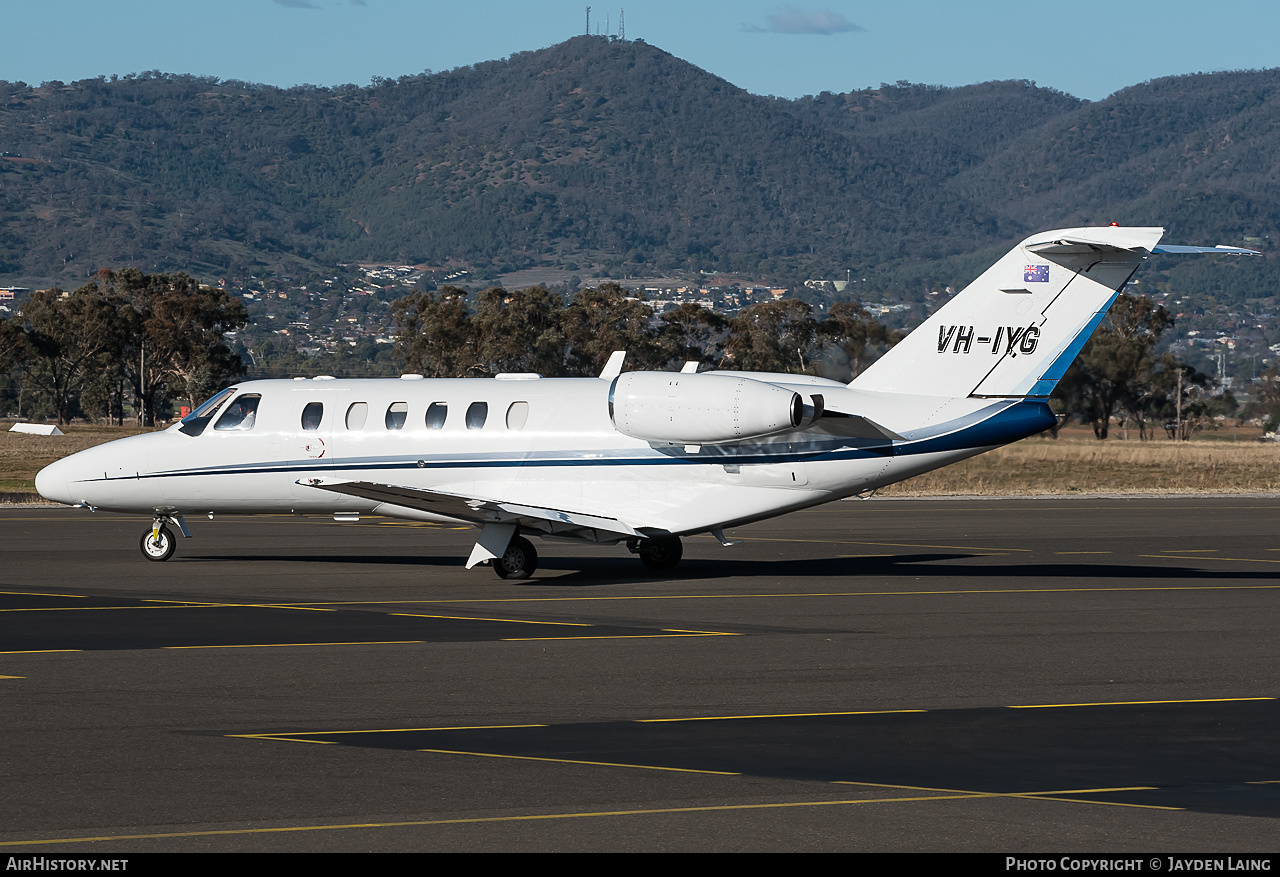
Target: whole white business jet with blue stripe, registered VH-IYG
639,458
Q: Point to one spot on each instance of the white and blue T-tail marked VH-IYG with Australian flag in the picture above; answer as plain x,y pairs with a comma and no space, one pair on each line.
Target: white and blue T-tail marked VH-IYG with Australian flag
1014,331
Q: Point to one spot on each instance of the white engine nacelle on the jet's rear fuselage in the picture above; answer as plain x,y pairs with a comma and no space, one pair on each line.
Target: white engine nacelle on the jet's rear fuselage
692,409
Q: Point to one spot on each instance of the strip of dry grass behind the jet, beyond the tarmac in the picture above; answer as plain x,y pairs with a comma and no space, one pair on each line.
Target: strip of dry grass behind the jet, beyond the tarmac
1228,462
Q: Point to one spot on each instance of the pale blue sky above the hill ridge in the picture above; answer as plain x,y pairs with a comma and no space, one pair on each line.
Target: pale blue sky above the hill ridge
1087,48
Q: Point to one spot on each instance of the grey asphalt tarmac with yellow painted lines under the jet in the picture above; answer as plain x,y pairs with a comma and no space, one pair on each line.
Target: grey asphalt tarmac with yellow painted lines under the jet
1020,675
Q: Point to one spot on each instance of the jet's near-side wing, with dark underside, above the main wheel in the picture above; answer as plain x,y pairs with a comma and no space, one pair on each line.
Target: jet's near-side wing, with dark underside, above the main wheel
474,510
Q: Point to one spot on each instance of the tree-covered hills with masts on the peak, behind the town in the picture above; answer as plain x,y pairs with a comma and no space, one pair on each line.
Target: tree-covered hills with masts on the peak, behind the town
620,156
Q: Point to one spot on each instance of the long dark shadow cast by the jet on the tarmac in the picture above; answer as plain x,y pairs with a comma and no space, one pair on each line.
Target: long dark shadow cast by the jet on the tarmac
591,572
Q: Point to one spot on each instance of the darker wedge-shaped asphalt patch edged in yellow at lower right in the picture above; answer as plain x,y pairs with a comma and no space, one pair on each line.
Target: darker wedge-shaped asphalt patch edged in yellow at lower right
1214,757
